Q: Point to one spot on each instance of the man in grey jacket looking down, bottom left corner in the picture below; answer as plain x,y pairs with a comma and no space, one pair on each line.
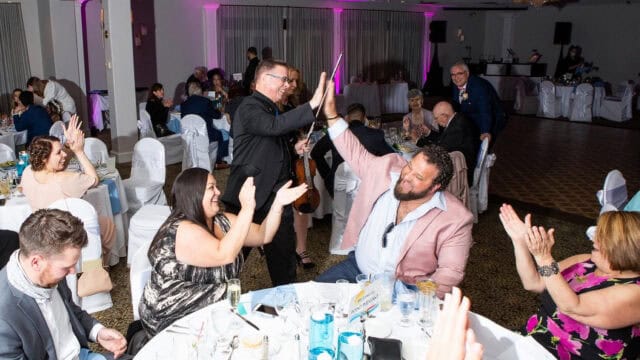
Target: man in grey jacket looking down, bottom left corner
39,319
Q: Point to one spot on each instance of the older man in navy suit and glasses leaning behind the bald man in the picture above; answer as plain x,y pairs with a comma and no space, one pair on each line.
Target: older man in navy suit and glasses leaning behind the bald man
478,100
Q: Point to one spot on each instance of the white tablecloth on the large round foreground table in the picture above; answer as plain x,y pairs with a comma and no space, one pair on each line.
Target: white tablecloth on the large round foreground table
499,342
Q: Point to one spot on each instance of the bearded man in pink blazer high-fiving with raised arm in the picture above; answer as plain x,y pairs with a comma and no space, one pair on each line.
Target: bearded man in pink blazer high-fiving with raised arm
402,220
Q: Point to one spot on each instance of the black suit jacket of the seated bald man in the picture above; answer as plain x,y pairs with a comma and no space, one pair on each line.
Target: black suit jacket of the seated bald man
460,135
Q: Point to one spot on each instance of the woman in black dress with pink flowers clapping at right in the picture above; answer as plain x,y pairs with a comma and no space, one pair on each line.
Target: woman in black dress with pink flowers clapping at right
590,302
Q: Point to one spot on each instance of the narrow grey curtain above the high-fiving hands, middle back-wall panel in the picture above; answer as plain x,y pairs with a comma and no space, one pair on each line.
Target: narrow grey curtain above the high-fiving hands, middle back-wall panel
310,42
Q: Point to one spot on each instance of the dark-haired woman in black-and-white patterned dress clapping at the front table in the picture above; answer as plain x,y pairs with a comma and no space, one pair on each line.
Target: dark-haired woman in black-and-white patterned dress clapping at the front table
198,248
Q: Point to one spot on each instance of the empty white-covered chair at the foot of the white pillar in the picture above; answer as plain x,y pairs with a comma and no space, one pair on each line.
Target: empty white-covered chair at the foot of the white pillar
145,186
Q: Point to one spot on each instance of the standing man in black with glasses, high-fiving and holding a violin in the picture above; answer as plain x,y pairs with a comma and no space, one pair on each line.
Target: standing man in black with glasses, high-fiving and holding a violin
260,135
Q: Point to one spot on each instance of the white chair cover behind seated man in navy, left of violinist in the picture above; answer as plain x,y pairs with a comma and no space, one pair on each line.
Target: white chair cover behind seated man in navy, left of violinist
195,142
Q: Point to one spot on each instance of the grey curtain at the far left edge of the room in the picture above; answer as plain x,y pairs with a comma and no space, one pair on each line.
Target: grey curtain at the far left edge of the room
14,59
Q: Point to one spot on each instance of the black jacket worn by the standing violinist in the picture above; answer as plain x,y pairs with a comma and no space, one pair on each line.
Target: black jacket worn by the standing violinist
260,148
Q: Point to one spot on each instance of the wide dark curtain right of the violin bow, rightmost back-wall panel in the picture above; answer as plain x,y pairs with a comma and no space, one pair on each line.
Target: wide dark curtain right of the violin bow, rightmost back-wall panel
380,44
